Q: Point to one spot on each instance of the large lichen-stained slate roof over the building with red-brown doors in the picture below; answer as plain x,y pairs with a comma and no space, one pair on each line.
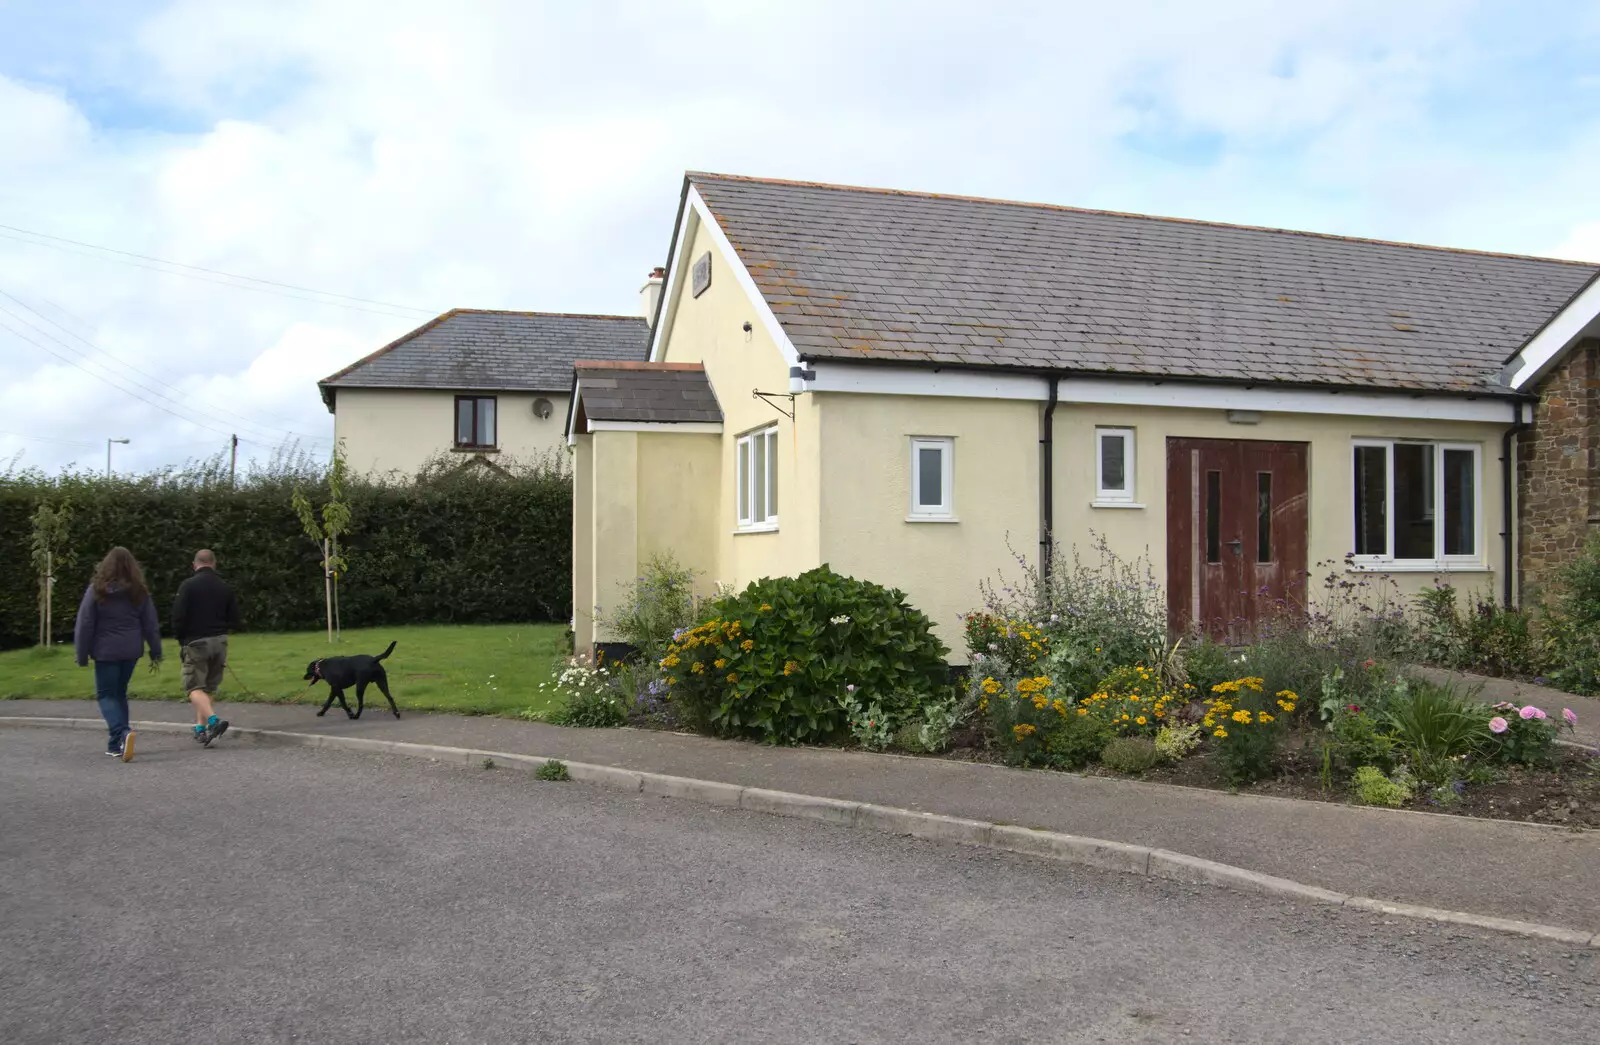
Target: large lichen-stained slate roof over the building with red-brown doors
870,274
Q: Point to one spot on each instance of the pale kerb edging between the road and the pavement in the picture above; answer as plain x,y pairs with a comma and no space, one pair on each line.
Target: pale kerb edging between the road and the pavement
932,827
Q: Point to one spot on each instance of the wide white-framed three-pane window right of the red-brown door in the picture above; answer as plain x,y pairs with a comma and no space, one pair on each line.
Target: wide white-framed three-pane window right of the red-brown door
1417,503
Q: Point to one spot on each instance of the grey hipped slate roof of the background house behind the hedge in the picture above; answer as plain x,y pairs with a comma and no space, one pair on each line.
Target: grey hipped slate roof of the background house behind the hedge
476,350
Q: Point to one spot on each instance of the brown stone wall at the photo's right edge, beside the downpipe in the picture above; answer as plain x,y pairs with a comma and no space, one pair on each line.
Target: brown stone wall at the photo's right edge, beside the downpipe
1558,466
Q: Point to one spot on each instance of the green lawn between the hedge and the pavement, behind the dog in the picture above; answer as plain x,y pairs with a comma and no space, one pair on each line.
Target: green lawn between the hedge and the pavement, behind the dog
476,670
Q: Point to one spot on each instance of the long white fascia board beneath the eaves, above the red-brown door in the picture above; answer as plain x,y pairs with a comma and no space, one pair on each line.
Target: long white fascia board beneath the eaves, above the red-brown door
1145,393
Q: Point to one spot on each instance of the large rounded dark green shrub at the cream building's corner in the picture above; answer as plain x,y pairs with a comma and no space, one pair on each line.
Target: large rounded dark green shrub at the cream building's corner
777,660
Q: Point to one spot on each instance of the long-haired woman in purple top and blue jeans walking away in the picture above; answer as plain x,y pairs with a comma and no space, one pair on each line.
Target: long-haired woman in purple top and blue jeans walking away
116,622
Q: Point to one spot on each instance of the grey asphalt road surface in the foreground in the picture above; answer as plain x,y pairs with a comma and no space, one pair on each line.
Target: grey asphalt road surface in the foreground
254,895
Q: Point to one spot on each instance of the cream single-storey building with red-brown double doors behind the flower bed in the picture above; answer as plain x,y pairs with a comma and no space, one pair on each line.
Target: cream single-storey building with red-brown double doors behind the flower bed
927,385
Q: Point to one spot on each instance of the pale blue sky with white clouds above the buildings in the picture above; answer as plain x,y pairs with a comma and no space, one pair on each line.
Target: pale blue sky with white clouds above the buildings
367,164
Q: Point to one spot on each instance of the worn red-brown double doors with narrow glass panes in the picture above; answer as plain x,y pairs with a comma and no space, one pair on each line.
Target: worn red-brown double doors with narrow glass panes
1236,534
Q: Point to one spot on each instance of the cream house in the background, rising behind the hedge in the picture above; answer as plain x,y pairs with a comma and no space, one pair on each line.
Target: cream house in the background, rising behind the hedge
479,385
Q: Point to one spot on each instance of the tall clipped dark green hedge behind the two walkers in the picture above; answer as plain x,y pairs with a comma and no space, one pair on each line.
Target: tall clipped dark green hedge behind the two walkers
465,548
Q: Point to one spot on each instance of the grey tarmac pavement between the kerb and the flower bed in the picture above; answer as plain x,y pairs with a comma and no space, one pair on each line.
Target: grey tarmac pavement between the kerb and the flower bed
1498,868
